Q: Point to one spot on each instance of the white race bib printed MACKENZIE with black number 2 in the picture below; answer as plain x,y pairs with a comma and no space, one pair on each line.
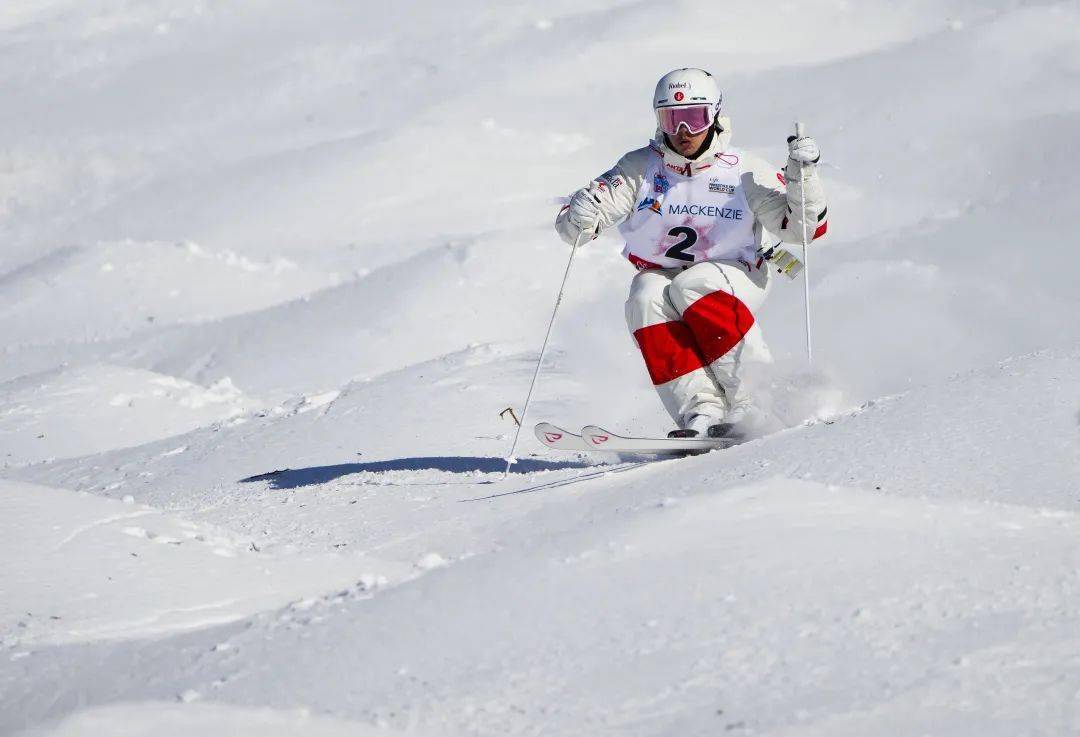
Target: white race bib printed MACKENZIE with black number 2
679,221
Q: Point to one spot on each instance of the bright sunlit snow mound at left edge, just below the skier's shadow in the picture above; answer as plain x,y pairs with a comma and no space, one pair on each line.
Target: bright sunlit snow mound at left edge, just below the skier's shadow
97,569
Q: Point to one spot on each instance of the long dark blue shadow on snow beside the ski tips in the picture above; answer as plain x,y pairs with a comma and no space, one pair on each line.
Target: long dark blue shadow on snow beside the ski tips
294,478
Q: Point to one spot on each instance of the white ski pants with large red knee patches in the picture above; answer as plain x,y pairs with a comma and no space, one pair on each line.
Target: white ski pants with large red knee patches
692,327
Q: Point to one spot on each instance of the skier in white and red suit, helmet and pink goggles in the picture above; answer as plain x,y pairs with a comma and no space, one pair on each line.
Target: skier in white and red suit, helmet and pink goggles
696,216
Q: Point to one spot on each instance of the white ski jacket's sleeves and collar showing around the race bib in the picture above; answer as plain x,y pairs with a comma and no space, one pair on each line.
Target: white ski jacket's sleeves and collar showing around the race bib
774,196
